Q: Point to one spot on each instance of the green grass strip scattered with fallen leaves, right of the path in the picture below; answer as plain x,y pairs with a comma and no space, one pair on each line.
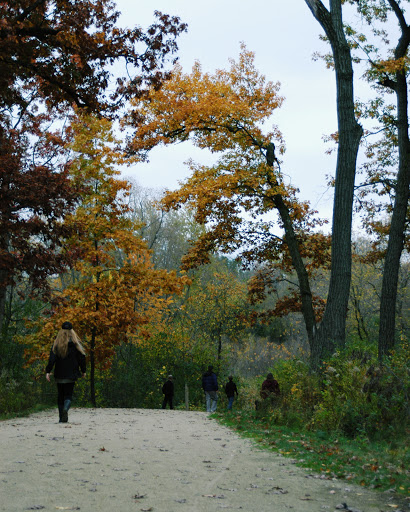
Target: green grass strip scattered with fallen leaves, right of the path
379,465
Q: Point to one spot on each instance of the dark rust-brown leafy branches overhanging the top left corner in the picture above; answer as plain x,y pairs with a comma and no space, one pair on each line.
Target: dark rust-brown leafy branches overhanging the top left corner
62,53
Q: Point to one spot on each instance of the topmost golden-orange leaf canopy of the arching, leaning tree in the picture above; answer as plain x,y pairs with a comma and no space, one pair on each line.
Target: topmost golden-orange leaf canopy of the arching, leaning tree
217,111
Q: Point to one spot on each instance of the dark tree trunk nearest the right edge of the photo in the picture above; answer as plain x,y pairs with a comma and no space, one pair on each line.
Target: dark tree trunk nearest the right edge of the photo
396,240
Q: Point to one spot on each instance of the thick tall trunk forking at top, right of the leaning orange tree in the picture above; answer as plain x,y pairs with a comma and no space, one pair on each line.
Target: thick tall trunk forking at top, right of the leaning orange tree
331,332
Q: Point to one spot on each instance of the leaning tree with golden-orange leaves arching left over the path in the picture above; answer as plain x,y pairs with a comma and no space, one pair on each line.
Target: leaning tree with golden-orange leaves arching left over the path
224,112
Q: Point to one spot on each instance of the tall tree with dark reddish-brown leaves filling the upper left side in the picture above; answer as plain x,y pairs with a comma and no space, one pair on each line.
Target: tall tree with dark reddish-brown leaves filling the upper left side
55,54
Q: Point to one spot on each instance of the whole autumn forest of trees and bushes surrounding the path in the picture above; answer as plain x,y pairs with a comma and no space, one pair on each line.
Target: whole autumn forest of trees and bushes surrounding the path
232,269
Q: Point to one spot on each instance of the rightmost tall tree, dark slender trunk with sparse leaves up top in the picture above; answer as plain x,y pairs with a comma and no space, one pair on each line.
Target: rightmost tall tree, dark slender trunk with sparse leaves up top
392,74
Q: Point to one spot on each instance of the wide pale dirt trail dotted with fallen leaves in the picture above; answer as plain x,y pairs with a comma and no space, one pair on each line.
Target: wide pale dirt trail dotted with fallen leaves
126,460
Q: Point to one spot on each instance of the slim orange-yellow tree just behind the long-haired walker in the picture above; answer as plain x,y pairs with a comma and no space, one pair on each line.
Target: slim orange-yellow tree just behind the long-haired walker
116,291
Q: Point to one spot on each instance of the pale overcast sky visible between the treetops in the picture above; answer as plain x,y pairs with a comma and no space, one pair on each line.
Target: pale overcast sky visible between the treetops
284,35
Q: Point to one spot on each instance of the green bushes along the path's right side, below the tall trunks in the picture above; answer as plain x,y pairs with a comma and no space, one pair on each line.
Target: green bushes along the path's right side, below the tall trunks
352,395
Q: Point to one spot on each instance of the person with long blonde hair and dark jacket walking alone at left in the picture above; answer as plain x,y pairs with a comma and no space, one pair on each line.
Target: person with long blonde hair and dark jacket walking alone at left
67,357
